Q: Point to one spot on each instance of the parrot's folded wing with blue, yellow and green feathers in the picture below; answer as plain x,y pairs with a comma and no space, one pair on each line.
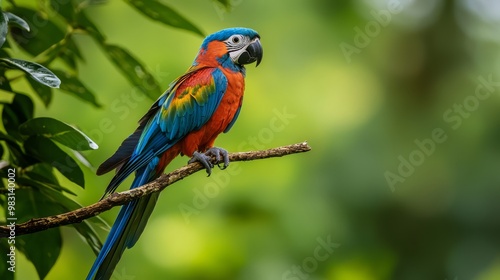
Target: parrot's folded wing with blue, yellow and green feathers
175,115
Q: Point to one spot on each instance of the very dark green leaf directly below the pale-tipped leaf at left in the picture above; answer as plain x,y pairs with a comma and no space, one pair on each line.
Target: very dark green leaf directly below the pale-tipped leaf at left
45,150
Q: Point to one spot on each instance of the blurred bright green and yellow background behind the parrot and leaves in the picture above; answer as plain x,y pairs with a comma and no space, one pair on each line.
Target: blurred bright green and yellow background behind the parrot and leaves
361,92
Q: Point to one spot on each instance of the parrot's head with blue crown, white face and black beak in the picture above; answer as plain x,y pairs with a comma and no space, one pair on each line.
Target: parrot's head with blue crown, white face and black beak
231,48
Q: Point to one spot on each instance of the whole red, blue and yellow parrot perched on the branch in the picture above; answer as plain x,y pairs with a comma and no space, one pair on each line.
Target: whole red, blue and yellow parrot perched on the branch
185,120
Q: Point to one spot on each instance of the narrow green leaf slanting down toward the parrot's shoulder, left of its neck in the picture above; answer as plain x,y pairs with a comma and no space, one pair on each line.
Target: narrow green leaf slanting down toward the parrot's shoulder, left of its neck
133,70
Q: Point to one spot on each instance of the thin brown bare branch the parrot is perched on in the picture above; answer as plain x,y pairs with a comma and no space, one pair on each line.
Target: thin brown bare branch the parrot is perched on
115,199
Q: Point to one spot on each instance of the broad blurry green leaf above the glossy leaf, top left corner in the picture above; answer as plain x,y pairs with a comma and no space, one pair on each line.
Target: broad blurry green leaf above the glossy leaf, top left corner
44,33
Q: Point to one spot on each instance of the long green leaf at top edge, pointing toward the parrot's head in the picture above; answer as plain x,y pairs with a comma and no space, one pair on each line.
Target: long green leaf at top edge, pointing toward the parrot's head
158,11
